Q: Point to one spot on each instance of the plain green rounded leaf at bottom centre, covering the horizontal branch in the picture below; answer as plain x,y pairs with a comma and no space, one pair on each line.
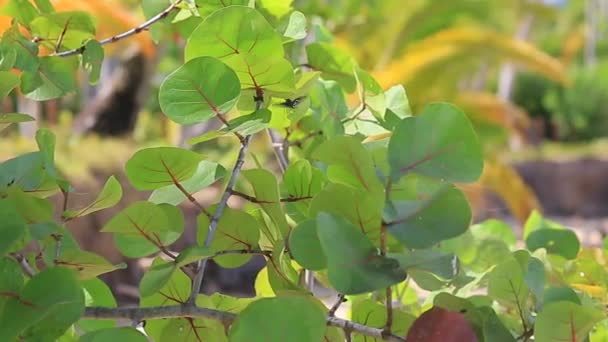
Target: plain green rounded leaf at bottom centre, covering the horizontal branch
296,318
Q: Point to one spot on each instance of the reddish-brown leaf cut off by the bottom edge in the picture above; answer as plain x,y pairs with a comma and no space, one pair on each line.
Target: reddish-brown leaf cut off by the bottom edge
440,325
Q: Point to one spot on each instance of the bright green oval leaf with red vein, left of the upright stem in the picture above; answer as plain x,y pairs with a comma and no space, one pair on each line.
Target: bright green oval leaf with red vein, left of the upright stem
154,168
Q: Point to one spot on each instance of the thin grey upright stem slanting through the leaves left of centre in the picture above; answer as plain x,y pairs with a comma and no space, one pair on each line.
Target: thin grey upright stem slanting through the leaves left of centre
240,161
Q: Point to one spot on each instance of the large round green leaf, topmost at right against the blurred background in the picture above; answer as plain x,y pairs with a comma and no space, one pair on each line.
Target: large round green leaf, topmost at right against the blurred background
439,143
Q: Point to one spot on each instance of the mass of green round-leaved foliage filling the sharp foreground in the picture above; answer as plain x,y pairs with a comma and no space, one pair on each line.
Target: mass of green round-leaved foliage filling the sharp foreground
367,201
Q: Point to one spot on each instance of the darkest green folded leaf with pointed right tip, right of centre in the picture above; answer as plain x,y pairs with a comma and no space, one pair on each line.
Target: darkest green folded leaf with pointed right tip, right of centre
354,265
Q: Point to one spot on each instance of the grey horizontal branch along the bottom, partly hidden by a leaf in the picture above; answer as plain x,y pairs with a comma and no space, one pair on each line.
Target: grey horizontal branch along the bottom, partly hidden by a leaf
180,311
